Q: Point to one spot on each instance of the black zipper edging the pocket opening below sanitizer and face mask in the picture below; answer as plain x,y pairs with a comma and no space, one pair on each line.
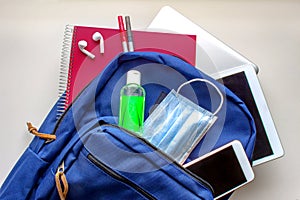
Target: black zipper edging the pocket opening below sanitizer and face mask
171,160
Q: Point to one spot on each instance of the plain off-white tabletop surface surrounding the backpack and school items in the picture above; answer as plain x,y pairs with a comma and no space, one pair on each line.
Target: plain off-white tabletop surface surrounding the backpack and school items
266,32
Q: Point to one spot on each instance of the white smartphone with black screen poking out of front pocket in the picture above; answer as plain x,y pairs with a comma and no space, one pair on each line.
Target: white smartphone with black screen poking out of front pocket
226,168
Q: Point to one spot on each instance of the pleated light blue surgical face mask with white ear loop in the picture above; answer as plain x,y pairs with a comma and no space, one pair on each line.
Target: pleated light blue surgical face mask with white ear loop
177,124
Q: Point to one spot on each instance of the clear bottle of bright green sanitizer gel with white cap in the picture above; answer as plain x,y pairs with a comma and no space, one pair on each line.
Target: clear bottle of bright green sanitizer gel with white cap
132,103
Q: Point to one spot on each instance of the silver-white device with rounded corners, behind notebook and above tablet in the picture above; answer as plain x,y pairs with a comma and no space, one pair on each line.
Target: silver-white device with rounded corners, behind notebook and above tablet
212,55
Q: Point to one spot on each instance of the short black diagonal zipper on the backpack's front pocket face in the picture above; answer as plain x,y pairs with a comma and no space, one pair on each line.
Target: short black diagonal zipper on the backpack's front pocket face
119,177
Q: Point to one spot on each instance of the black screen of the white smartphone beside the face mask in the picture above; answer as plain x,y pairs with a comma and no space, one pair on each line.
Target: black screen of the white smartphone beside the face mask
222,170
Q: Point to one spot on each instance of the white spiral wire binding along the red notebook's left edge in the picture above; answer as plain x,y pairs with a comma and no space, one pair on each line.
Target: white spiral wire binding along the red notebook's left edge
64,75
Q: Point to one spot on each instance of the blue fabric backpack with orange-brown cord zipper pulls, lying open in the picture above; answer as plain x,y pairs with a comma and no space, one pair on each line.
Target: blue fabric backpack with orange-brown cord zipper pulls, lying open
90,157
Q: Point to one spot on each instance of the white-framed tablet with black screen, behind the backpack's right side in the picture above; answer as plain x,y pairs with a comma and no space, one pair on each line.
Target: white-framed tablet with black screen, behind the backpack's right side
244,83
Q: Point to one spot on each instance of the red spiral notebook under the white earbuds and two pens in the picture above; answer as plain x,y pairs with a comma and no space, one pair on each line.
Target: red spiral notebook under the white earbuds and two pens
77,69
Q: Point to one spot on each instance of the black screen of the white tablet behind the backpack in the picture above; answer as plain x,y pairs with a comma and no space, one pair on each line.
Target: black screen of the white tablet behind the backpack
239,85
